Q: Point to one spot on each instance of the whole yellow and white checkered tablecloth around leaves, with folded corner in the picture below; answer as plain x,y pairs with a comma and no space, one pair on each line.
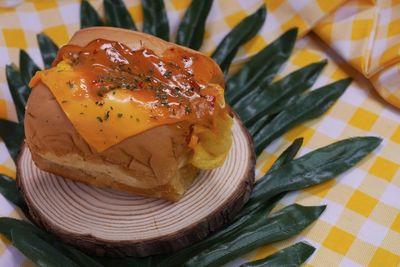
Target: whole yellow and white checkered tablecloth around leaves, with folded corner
361,226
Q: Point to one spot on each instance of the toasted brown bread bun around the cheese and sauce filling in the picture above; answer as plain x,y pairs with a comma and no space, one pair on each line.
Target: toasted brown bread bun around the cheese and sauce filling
153,163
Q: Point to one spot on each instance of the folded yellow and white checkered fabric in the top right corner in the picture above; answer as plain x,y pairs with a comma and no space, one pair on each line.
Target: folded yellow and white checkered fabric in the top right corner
366,33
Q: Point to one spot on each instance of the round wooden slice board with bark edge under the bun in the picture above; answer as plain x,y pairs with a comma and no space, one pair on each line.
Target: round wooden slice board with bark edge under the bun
109,222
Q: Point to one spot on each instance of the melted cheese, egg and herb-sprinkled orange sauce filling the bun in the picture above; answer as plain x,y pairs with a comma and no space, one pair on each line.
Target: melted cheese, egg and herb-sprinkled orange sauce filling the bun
110,92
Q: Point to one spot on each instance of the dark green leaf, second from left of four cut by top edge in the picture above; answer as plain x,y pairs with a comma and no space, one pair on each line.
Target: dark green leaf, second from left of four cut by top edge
117,15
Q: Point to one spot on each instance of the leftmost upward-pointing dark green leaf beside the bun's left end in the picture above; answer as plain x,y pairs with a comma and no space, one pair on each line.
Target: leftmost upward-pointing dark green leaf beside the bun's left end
18,89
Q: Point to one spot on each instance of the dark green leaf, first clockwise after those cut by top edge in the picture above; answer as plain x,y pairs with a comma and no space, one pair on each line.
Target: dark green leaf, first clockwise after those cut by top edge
243,32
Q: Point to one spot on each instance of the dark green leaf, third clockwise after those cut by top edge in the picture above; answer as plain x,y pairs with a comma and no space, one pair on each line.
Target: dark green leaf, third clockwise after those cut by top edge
270,99
